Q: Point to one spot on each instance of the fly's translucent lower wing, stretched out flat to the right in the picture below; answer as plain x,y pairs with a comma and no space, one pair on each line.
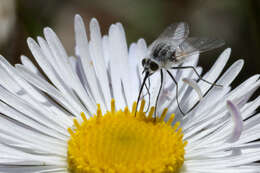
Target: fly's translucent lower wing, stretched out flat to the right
195,45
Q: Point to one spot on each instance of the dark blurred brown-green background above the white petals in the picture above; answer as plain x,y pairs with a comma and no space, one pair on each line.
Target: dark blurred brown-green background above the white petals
235,21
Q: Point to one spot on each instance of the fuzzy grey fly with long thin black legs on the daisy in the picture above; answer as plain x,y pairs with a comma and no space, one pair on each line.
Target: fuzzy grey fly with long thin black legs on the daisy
169,51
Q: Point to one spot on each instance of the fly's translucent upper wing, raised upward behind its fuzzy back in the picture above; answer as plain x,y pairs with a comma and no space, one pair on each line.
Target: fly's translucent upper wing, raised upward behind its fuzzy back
173,35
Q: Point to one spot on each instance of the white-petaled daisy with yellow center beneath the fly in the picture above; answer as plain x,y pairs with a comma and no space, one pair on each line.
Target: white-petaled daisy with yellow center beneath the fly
76,114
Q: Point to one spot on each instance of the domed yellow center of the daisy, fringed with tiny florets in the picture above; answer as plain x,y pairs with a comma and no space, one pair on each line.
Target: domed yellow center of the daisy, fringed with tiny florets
125,142
